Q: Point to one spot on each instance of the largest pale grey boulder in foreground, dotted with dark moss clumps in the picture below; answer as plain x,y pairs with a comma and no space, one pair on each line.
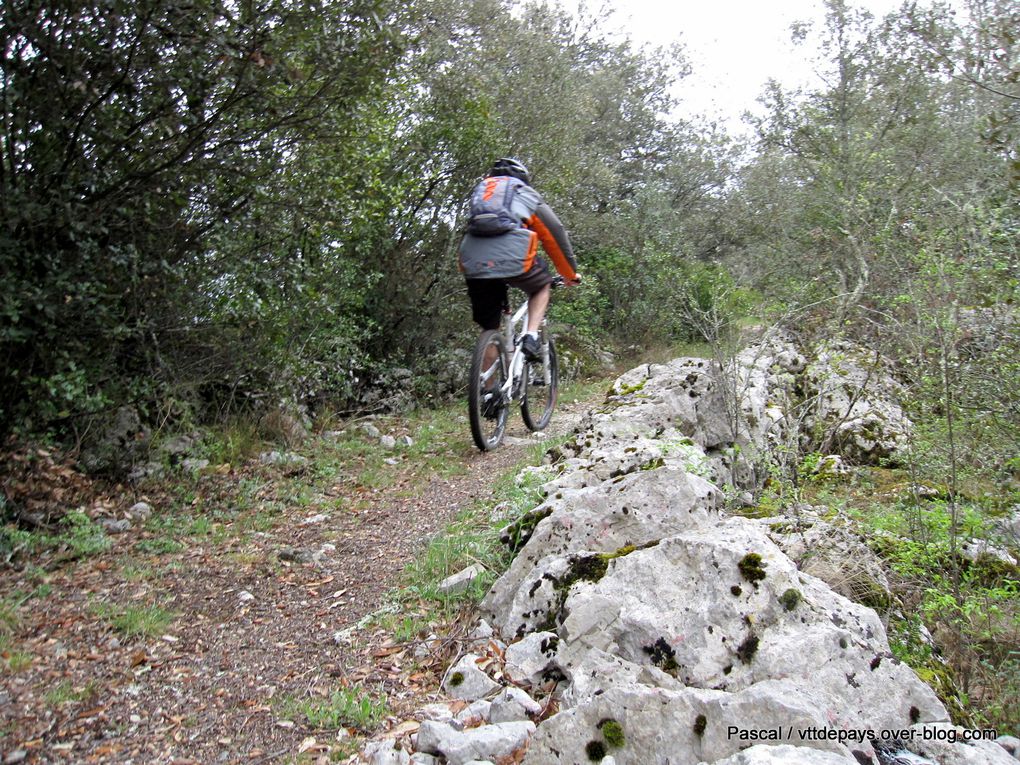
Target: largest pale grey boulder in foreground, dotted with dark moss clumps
731,610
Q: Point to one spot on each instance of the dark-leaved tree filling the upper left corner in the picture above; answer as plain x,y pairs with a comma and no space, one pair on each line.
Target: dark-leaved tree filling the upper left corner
134,133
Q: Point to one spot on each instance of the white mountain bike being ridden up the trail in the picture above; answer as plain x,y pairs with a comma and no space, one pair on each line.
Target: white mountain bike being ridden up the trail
497,382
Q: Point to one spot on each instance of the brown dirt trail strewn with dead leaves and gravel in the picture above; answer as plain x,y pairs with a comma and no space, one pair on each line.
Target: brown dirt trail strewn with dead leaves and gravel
257,624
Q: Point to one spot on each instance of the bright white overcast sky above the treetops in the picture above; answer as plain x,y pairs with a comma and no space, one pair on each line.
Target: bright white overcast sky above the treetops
734,46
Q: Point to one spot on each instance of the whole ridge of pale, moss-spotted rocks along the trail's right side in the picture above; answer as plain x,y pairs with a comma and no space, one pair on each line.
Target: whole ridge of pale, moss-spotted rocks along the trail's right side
676,633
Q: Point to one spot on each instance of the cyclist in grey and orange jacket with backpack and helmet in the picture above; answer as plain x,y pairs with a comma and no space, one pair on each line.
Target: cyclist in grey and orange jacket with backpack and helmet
508,221
